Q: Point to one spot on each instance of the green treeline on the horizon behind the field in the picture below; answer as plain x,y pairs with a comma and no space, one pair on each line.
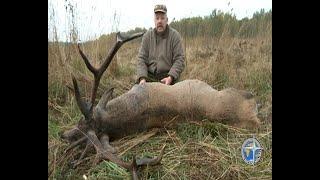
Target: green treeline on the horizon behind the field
219,24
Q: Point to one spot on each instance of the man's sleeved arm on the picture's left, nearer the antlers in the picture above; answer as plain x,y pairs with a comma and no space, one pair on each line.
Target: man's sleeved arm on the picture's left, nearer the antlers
142,70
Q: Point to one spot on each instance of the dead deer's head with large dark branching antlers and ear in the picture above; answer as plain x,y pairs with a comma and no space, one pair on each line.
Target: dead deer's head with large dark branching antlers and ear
88,129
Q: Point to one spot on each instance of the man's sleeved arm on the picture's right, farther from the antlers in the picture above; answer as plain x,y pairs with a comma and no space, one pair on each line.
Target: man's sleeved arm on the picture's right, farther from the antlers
178,58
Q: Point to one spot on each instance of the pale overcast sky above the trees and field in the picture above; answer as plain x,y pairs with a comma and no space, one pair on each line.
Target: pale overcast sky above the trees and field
96,17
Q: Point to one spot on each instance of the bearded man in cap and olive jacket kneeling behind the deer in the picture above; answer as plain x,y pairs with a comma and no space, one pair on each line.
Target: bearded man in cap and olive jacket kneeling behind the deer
161,56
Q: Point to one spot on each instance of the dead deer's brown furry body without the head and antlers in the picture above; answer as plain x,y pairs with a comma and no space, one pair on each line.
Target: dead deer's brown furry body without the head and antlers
154,104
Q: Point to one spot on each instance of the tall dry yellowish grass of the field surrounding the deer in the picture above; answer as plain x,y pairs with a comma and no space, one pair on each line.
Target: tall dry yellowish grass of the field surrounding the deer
201,150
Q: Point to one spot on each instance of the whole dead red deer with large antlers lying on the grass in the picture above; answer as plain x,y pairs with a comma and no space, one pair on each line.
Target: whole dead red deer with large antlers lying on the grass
144,107
